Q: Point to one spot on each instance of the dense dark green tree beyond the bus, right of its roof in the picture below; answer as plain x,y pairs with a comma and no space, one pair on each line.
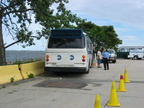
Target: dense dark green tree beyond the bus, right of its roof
103,36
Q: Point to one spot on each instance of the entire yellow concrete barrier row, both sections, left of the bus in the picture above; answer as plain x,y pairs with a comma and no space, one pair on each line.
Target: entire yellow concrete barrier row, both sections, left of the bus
11,73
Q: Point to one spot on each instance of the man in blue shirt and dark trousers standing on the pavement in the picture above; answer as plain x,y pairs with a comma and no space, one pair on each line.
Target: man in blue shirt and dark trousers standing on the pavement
105,56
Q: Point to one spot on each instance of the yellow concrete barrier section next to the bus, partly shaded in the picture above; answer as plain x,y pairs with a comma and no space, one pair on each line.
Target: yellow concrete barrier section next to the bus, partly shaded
35,68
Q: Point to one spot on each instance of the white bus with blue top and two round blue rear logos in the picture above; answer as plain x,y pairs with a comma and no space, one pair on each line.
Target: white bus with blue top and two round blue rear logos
68,50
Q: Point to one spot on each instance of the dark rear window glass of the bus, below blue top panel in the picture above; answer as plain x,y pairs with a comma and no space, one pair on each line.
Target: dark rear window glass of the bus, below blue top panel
66,42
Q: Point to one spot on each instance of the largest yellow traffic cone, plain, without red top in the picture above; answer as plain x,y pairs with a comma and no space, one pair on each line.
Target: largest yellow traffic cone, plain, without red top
113,96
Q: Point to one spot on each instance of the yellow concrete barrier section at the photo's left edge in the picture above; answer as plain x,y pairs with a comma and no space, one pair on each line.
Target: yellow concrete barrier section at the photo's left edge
9,73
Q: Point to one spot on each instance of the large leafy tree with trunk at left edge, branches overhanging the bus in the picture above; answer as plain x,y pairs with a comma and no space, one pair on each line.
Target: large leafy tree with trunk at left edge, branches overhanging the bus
17,15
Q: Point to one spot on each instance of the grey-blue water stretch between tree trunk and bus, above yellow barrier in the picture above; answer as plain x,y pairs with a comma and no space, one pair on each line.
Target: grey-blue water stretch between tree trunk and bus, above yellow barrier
14,55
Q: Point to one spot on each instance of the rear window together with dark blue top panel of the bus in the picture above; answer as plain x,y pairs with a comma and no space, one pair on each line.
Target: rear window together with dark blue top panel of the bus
66,38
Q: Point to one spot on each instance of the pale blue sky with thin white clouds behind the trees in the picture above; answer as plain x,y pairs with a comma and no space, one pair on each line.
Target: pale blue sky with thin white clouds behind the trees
127,17
